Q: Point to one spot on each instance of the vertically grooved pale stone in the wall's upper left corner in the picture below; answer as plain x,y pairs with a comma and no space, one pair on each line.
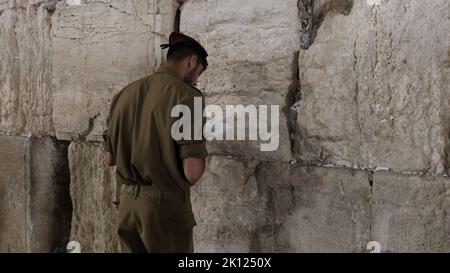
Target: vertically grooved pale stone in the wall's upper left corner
25,104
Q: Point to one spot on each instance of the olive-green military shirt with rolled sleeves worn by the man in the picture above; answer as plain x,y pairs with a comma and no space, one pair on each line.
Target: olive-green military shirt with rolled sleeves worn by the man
138,133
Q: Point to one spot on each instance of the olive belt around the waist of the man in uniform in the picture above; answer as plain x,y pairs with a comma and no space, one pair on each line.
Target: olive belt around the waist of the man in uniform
150,191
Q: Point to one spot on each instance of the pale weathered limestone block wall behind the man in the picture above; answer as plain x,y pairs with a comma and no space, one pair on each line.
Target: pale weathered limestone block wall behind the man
362,86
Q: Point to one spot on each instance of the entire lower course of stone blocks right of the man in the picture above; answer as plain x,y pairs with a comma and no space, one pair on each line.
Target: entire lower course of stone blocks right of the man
275,207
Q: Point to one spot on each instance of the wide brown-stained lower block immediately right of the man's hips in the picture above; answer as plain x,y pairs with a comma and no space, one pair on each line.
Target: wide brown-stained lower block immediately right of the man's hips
276,207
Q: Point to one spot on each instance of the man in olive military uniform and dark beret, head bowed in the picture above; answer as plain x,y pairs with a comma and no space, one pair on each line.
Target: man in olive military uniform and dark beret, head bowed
156,171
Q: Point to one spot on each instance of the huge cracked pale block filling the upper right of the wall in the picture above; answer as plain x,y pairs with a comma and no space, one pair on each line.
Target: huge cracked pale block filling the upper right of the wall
375,88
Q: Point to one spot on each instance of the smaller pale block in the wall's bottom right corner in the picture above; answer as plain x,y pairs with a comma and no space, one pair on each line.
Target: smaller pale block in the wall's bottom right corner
411,213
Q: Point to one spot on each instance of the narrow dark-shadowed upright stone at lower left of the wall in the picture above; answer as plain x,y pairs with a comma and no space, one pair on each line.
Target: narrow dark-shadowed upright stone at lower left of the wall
51,204
